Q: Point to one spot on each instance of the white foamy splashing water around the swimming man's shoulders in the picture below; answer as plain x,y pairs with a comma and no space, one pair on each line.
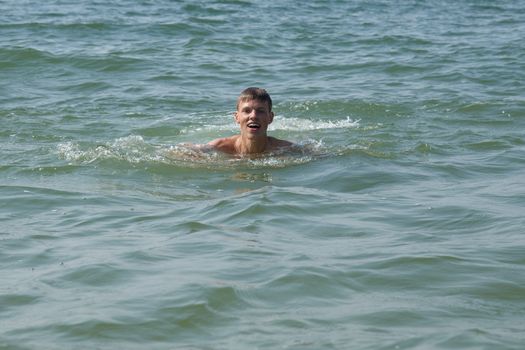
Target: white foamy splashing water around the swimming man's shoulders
134,149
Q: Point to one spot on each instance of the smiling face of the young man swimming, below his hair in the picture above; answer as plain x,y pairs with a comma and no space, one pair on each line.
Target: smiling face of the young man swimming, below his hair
253,117
